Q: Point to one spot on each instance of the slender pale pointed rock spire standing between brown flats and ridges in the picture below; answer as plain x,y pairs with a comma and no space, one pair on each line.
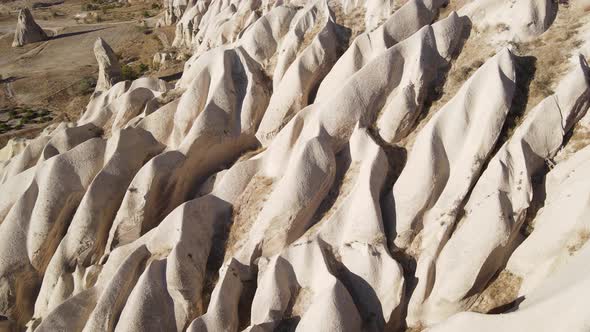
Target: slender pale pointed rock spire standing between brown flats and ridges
109,70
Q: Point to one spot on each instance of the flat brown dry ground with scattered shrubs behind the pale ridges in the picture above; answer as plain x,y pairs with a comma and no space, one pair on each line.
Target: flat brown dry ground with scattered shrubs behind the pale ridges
57,76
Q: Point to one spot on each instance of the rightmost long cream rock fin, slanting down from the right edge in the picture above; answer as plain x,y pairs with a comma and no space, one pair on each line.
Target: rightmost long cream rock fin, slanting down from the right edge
497,206
